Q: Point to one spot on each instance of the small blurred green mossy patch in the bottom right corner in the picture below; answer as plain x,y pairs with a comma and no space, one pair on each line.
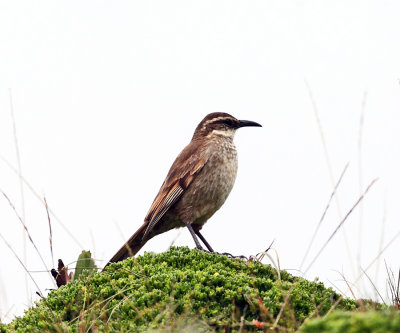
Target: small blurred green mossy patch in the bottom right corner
355,322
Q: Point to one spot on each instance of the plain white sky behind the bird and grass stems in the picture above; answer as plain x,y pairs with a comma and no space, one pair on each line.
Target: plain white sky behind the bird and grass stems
107,93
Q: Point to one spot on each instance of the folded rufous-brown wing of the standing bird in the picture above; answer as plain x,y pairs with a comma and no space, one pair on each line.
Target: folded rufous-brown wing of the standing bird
179,178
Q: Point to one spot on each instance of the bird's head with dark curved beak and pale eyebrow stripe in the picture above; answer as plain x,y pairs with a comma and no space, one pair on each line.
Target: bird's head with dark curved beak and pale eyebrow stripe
220,124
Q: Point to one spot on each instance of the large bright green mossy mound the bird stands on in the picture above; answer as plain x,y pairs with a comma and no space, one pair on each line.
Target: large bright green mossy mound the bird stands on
177,289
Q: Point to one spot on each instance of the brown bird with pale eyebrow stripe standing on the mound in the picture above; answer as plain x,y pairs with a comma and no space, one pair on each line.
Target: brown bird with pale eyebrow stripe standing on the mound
197,184
